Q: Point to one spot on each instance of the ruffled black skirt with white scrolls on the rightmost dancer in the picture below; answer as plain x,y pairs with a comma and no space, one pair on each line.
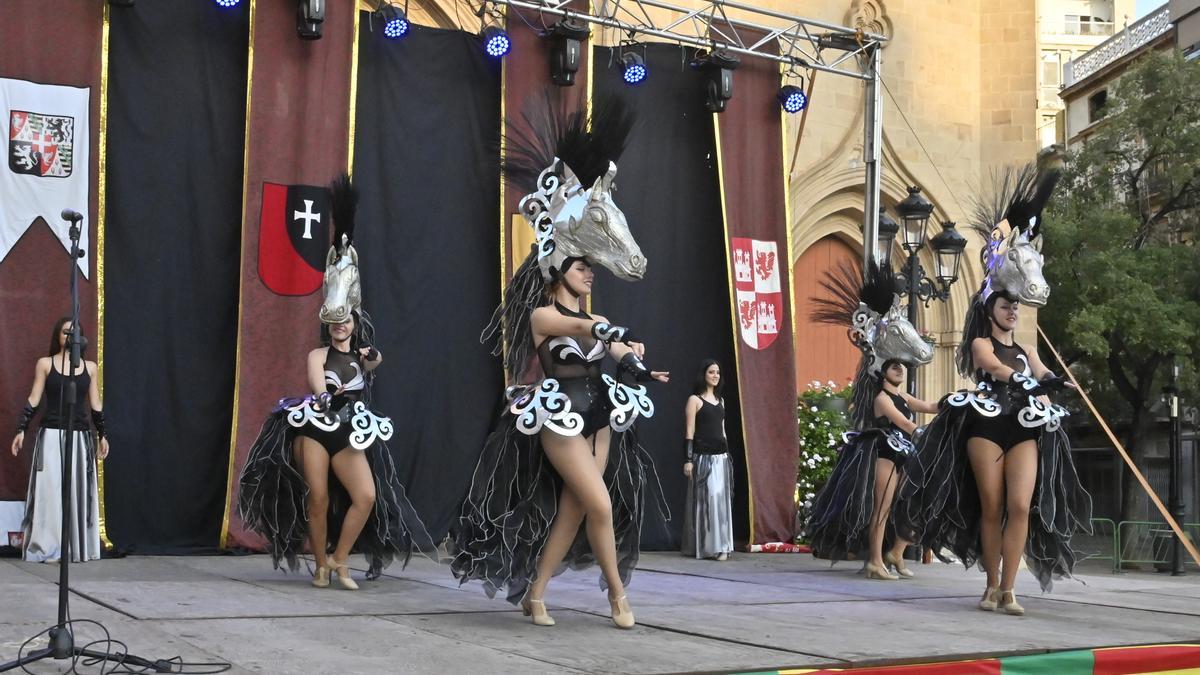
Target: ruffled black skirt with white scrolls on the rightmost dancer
939,503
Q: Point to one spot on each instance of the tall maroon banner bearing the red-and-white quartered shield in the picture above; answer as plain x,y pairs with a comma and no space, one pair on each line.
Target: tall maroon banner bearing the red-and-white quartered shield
754,194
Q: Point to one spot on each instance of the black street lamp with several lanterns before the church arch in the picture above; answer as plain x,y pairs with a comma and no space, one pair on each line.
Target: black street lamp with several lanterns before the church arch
914,283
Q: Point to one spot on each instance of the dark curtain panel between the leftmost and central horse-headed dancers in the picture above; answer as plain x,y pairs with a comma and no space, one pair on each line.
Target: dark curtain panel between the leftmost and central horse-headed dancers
427,164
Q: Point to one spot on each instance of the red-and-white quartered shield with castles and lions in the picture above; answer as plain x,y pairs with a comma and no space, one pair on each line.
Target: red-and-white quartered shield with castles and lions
760,298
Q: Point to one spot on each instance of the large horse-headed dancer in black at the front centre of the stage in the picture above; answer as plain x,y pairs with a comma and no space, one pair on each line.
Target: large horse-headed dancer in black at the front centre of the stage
547,467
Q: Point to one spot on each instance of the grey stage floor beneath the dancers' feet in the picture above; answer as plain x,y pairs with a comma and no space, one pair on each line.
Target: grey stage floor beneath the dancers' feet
752,613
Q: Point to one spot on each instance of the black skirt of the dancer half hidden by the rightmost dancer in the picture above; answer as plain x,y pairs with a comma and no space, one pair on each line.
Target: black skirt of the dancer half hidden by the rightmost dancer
839,522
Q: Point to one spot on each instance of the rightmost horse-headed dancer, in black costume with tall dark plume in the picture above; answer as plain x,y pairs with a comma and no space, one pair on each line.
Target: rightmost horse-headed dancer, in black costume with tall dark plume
993,475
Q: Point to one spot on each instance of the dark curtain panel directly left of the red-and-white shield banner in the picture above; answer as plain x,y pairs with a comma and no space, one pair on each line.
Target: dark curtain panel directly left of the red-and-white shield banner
669,190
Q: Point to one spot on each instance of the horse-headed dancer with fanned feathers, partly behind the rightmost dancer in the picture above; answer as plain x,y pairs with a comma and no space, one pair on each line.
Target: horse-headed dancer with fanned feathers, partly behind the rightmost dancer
851,512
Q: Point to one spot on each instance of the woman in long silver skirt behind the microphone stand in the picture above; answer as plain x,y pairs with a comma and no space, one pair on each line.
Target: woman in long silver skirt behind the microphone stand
44,504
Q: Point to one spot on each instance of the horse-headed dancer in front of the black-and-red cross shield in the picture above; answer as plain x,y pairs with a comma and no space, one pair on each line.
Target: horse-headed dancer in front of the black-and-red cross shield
286,494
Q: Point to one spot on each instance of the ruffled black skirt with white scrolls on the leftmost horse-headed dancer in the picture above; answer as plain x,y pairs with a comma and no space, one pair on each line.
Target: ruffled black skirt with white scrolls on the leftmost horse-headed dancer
273,494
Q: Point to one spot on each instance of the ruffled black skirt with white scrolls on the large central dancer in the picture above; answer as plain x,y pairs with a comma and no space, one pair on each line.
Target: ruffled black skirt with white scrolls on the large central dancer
514,498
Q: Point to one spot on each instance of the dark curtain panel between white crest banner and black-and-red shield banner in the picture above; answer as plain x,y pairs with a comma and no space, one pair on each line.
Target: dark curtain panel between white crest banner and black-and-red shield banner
177,110
